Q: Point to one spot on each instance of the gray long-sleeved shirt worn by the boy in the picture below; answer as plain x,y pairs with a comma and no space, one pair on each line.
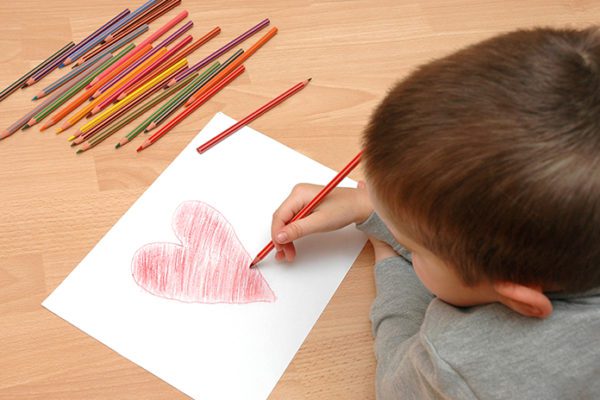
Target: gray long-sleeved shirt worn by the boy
428,349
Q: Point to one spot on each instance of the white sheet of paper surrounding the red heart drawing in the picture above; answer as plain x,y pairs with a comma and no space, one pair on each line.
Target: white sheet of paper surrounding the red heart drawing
212,351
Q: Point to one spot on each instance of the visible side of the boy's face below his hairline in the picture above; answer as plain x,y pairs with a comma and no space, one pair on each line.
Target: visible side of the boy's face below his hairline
439,278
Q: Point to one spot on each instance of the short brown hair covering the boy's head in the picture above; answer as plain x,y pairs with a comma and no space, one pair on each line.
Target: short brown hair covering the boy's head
490,160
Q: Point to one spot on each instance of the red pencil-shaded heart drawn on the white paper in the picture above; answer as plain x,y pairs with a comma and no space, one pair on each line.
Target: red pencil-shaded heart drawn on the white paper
210,266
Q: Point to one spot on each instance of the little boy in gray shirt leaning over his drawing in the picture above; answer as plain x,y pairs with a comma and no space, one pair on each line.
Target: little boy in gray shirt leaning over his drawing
483,169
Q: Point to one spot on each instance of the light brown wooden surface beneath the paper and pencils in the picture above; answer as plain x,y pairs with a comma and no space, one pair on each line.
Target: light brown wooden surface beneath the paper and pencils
56,205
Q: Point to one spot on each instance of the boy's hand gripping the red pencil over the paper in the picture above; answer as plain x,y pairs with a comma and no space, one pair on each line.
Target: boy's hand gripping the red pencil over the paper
341,207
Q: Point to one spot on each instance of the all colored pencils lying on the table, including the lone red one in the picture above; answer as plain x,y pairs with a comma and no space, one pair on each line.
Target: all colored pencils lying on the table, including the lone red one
114,82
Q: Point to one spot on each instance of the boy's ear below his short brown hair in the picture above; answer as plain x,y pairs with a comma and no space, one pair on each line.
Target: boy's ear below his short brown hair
526,300
